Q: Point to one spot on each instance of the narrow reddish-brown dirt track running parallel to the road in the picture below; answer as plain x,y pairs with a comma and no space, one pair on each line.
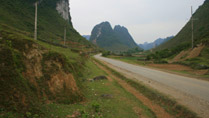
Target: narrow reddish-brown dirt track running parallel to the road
159,111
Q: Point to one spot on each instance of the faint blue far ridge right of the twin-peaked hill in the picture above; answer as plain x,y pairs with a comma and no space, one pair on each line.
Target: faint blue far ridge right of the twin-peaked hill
148,46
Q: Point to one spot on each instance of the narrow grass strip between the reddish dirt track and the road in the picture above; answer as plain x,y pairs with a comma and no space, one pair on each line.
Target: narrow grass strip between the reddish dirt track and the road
170,105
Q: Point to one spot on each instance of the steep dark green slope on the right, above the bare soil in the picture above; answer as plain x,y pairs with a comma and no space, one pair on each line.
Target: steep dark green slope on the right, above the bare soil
201,30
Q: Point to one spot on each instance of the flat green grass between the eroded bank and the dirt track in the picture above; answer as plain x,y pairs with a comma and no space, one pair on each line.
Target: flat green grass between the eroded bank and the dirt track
119,106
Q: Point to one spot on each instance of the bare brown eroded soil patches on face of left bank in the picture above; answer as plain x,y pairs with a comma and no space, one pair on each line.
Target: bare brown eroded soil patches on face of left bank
58,80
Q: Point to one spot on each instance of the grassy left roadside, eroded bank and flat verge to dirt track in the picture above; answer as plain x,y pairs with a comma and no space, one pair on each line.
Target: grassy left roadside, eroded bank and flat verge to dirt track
22,98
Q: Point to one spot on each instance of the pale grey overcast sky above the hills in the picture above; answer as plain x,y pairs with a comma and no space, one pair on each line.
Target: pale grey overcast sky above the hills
146,20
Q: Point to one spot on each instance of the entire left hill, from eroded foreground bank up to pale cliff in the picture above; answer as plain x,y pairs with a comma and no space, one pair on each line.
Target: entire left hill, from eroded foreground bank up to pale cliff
35,73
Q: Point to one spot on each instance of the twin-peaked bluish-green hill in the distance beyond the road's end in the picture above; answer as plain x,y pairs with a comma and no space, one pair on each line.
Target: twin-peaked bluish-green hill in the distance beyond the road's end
117,39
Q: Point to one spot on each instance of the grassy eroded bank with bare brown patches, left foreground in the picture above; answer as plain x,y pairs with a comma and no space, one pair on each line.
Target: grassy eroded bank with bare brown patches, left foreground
34,73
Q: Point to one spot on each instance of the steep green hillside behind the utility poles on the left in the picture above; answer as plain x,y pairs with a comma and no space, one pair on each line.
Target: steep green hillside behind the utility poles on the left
20,15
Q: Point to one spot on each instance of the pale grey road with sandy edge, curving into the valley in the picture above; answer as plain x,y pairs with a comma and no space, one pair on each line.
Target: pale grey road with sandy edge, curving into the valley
191,92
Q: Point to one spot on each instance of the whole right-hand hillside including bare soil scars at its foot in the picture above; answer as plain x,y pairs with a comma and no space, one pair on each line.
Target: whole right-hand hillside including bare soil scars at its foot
179,49
